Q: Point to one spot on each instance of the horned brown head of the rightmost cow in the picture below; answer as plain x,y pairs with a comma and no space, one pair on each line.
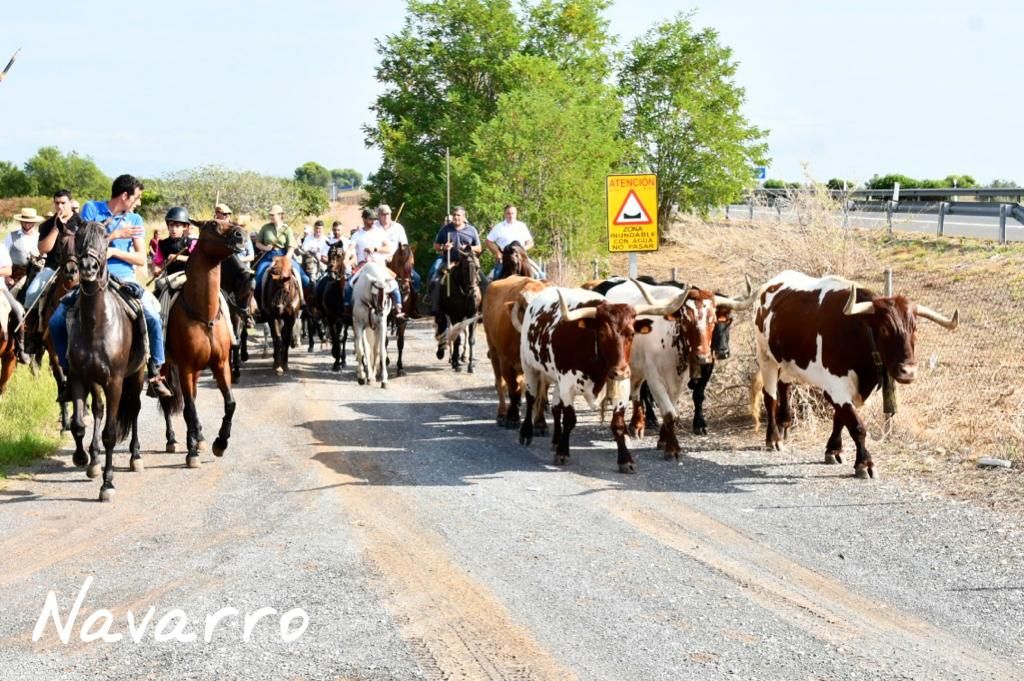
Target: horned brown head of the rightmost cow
894,325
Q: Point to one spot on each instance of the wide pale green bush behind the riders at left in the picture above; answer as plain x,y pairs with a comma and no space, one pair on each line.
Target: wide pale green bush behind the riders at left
198,189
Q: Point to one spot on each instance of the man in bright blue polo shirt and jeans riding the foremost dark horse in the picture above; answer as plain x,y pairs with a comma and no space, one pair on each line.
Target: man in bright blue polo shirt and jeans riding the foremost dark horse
124,253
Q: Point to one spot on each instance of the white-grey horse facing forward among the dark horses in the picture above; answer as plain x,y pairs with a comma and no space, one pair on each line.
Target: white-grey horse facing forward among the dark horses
371,308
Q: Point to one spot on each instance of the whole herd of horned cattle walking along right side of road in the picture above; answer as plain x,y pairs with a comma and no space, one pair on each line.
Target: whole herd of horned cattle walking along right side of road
618,340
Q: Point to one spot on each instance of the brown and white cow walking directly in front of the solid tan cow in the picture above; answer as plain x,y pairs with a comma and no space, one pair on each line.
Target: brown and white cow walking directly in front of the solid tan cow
580,344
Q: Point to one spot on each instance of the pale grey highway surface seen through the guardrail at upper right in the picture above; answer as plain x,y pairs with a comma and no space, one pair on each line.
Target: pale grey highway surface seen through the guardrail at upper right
956,226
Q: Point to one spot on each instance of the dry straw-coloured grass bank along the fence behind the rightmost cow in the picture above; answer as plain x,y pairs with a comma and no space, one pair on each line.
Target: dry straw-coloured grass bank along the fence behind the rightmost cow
969,400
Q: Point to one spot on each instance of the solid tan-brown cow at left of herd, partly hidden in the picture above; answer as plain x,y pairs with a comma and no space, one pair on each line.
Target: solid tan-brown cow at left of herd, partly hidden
503,342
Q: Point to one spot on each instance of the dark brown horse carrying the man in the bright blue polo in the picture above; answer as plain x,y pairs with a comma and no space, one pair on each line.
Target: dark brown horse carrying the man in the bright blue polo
107,358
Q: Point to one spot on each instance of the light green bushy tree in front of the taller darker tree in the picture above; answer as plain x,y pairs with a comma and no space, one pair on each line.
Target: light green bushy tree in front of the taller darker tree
548,149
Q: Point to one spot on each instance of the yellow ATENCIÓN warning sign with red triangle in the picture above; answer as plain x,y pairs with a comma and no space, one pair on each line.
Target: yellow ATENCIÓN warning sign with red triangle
632,214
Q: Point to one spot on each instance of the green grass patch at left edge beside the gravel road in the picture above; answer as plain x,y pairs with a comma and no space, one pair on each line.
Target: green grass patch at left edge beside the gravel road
29,419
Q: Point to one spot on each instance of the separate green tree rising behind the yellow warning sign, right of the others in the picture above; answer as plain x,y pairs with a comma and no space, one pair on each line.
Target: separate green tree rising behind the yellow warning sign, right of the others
684,117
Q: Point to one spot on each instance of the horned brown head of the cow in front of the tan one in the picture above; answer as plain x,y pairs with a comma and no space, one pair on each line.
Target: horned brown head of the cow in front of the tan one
614,326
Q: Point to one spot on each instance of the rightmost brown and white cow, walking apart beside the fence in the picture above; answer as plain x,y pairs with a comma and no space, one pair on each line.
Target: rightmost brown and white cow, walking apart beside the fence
831,334
